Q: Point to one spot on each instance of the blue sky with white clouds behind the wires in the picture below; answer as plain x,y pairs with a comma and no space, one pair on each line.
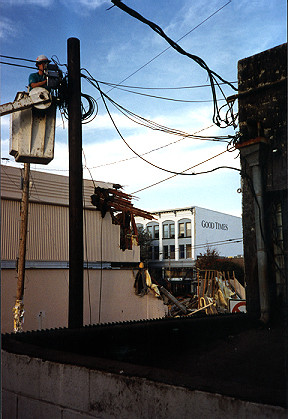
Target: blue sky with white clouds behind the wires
114,46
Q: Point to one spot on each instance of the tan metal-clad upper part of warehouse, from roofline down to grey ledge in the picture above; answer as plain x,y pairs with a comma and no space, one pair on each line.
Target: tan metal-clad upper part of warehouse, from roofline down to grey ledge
48,224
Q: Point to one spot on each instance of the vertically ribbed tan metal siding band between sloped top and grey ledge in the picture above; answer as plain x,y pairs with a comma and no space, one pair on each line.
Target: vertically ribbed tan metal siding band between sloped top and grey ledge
48,229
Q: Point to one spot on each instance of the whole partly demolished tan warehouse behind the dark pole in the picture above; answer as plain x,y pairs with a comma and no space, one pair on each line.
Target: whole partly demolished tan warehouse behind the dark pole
109,272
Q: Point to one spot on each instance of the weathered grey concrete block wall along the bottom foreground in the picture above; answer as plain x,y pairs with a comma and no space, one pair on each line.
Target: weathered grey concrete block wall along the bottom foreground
36,389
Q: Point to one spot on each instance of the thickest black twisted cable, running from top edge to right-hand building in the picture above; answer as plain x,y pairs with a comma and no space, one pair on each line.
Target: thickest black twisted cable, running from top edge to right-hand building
213,76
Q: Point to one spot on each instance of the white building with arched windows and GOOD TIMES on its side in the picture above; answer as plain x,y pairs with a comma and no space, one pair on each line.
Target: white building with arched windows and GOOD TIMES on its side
180,235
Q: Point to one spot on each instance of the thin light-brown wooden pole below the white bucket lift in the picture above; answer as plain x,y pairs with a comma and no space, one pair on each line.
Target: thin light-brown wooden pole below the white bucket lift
18,309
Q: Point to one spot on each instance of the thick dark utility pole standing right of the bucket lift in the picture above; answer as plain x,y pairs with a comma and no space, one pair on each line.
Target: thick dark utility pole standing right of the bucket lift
75,316
